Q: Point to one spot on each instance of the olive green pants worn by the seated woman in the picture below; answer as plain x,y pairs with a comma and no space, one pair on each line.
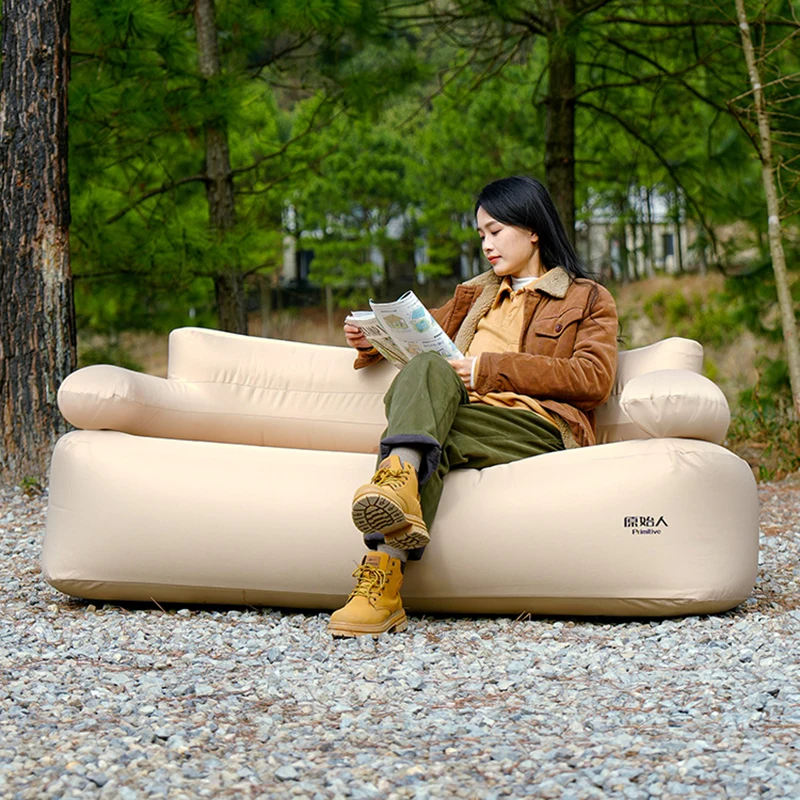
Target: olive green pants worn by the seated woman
427,408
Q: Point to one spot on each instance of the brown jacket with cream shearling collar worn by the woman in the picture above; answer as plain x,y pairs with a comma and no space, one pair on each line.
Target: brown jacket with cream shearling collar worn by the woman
567,355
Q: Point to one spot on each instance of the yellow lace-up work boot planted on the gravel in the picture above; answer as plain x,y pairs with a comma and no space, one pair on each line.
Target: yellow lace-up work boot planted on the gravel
374,606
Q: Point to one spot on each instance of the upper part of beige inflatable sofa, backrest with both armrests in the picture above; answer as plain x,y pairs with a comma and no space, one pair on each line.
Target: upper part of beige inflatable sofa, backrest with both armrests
247,390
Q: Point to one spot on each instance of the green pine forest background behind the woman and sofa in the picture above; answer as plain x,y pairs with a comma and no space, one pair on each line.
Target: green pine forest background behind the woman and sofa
207,142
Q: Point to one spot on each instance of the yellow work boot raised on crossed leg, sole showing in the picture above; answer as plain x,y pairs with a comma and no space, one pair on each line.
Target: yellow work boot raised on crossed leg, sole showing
389,504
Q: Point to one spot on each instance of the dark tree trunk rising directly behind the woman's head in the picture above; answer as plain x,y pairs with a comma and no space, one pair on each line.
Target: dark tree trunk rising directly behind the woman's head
559,158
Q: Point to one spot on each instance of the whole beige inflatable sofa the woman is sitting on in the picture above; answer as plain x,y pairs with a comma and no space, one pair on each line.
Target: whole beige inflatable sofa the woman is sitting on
230,482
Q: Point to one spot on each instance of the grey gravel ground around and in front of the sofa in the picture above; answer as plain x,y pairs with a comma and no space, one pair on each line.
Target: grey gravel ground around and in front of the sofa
134,702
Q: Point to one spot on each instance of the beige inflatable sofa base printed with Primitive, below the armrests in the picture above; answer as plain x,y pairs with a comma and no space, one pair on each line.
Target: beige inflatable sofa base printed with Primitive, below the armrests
648,528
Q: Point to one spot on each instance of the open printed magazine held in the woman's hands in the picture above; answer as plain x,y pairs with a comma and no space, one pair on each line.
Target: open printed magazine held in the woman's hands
401,330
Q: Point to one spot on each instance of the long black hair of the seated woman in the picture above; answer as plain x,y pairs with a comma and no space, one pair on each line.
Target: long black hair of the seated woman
525,203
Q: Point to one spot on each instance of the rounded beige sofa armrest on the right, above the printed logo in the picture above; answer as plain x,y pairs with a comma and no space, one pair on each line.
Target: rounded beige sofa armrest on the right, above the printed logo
677,403
